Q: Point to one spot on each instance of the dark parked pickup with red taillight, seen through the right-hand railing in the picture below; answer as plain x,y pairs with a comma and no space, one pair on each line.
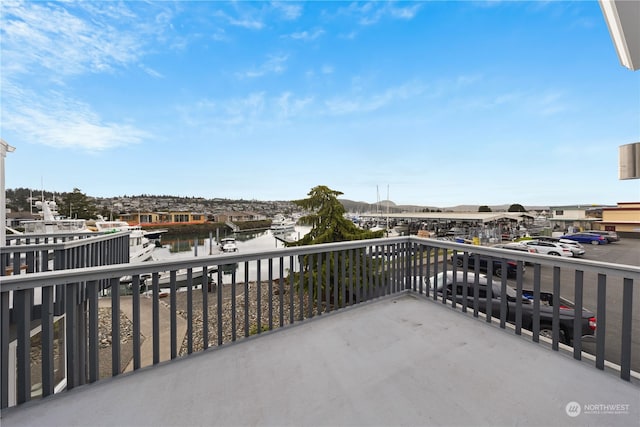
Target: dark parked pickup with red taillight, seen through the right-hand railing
454,289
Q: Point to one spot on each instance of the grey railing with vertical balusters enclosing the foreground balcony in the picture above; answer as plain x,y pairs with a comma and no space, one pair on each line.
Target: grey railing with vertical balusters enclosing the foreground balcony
197,303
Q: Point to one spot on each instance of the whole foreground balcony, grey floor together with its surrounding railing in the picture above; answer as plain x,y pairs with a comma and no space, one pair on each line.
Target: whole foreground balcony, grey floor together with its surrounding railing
256,339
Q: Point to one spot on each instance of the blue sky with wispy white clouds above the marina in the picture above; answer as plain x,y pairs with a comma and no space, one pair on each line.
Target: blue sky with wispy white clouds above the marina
442,103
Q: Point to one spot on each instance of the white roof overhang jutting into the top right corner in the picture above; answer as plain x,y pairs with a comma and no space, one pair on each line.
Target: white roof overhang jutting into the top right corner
623,18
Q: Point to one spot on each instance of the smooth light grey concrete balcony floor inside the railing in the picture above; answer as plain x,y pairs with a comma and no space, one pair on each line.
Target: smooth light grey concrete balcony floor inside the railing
397,361
